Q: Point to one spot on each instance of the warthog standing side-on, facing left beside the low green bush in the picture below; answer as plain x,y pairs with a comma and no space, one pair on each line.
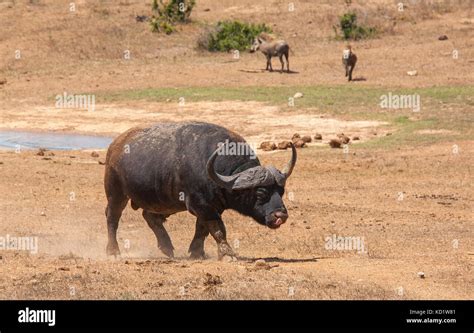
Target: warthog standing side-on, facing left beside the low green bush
272,48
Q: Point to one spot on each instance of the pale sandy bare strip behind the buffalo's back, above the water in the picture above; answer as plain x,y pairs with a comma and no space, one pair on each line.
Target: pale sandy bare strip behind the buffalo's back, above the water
254,120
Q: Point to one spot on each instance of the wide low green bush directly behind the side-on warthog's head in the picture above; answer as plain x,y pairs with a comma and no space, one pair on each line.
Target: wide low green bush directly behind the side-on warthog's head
231,35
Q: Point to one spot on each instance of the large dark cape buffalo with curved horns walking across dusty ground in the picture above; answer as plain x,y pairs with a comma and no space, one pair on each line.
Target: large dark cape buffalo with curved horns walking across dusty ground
173,167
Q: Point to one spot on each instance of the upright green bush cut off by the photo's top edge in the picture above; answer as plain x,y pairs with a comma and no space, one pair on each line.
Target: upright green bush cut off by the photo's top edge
167,14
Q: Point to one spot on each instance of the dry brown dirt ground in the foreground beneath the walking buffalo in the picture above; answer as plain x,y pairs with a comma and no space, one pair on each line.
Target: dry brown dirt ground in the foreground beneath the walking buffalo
427,230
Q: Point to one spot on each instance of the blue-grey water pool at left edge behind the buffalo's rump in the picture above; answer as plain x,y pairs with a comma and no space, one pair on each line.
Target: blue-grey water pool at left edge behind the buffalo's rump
51,140
